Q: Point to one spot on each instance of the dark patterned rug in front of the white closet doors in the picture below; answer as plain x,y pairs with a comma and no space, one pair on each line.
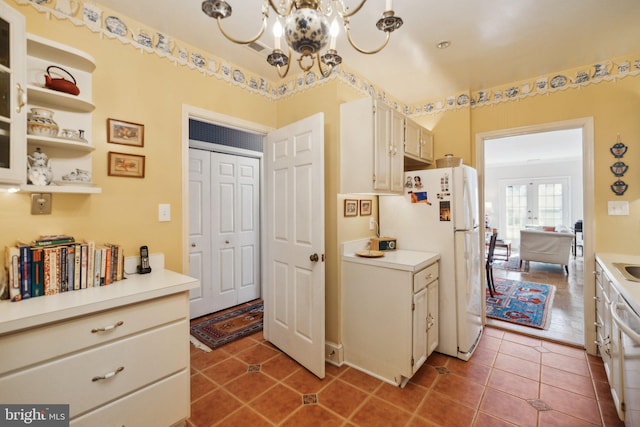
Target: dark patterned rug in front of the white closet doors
228,326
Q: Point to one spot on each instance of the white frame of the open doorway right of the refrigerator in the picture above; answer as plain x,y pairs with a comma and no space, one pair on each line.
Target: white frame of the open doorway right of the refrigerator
587,126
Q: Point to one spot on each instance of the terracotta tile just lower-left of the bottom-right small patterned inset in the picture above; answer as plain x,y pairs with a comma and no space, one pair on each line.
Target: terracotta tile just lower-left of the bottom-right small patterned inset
509,408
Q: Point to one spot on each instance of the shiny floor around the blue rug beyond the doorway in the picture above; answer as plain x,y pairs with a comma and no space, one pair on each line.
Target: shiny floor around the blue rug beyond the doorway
567,313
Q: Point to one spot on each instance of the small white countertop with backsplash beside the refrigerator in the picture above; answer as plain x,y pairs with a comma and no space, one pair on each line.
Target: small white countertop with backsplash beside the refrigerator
399,259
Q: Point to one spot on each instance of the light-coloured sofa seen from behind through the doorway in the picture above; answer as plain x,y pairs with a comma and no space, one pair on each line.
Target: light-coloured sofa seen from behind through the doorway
546,246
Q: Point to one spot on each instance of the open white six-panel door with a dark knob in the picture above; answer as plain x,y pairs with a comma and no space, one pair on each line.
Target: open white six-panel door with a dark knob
294,261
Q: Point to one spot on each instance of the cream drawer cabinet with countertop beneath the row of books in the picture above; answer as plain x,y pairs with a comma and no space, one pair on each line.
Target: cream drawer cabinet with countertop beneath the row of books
118,360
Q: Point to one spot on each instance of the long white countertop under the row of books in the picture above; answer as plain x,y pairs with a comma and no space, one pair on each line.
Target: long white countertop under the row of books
136,288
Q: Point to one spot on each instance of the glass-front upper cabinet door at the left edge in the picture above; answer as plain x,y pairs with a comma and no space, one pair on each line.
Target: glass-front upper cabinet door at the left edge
13,126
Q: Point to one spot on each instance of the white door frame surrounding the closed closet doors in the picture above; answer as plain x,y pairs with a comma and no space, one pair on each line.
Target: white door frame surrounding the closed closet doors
191,112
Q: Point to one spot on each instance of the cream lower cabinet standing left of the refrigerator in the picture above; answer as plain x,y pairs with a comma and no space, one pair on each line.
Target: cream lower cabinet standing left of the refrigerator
389,319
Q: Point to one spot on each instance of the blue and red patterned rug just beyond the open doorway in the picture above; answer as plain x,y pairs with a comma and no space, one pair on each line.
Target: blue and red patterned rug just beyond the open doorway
522,303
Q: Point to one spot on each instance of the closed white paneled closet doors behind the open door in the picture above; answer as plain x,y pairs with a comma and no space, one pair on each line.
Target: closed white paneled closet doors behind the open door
224,236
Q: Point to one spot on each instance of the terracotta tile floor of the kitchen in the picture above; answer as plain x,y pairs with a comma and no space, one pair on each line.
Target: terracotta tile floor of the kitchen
511,380
